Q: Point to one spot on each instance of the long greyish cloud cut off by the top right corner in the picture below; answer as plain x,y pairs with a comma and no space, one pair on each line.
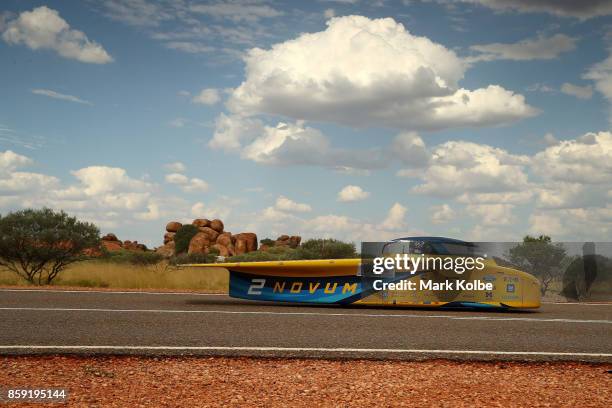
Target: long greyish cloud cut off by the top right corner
583,9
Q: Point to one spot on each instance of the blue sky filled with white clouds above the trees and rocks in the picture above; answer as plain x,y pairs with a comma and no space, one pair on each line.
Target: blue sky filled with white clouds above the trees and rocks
477,119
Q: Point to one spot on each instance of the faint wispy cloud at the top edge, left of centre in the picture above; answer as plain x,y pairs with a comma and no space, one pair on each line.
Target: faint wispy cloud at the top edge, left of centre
237,11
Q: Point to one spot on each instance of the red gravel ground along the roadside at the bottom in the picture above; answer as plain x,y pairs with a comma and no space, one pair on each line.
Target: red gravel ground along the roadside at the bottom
193,382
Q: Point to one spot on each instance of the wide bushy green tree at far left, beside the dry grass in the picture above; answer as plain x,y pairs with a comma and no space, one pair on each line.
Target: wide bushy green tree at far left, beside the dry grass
38,244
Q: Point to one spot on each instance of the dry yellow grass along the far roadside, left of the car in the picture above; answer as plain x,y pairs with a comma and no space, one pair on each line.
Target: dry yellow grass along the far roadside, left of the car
113,275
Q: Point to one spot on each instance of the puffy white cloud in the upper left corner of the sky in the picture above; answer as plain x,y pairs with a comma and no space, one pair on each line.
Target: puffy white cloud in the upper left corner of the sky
43,28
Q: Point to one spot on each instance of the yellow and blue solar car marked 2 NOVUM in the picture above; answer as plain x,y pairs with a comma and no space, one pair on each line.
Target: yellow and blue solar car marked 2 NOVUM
347,282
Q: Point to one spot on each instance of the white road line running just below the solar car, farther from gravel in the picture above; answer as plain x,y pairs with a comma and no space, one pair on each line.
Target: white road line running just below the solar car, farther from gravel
243,312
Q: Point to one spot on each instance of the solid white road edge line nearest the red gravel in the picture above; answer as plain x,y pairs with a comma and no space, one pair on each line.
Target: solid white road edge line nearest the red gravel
304,349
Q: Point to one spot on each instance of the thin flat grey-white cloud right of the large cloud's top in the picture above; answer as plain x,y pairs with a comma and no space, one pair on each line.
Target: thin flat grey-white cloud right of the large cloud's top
540,48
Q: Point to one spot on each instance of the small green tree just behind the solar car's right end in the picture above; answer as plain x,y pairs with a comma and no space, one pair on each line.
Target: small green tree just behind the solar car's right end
540,257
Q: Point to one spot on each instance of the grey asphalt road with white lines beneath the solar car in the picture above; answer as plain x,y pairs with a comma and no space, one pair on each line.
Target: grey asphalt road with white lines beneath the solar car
78,322
